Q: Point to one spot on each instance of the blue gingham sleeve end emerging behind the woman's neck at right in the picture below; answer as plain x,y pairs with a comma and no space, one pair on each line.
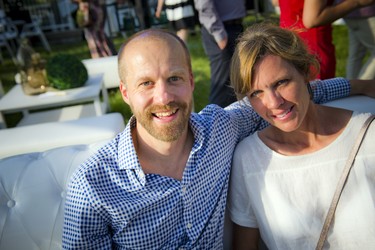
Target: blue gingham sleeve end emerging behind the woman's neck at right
330,89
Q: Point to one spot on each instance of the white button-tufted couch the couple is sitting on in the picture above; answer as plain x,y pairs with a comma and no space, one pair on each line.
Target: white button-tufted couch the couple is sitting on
32,192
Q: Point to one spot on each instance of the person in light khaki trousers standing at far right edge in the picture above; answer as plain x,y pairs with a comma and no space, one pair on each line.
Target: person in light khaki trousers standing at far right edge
361,29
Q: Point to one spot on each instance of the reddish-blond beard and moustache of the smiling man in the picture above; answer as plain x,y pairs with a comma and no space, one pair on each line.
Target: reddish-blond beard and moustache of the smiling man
170,131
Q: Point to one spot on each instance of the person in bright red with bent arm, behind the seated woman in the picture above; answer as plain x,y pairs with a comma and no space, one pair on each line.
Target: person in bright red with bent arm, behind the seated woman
313,19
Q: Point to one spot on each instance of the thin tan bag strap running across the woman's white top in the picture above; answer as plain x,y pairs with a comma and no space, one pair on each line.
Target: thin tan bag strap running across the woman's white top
342,182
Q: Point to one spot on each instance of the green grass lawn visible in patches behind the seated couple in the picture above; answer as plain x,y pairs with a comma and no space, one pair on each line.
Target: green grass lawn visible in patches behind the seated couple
199,60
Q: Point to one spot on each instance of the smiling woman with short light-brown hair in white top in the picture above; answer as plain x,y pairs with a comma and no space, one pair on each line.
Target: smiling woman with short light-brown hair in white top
284,194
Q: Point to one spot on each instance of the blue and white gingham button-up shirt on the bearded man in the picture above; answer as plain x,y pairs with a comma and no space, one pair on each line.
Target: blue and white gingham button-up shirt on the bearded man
113,204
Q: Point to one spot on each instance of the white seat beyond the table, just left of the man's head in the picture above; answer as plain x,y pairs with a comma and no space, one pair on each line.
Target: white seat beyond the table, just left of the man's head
107,66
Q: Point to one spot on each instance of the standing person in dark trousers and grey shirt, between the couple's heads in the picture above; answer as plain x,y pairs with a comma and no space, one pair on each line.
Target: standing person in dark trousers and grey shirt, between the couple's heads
221,22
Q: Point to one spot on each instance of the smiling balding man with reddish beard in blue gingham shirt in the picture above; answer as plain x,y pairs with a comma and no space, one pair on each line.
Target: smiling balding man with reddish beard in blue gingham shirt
162,182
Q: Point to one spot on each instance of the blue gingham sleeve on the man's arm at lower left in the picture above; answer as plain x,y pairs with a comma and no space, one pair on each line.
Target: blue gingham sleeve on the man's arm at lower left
84,228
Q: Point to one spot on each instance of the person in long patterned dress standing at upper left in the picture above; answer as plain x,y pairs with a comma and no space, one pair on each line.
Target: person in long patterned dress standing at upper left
91,17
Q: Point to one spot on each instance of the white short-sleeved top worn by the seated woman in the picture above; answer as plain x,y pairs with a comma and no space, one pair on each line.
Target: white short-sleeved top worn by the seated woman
287,197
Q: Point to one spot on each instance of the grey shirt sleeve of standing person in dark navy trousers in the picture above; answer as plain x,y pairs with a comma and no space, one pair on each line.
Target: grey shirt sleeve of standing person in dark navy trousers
210,19
